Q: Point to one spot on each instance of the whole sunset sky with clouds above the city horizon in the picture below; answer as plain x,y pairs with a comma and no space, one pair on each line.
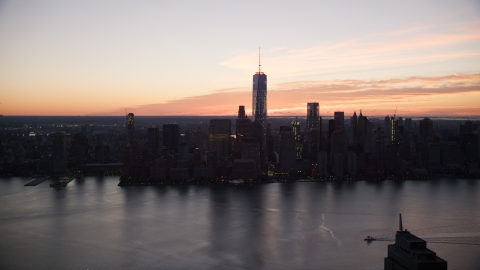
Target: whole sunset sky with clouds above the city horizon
198,57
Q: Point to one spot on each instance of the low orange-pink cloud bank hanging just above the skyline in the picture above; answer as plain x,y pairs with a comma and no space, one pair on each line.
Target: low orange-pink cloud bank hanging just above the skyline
443,95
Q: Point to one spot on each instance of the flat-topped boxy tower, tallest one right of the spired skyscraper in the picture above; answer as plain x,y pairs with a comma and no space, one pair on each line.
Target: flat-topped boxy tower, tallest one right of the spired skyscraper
313,130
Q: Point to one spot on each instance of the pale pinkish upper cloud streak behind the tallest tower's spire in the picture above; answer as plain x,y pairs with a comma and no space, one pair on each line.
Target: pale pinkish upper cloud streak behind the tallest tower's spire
415,46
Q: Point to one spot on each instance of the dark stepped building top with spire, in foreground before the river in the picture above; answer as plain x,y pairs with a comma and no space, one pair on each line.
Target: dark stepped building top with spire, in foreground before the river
411,253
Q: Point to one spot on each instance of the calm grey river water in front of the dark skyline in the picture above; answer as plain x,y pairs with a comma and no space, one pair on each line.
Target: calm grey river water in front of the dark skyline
94,224
